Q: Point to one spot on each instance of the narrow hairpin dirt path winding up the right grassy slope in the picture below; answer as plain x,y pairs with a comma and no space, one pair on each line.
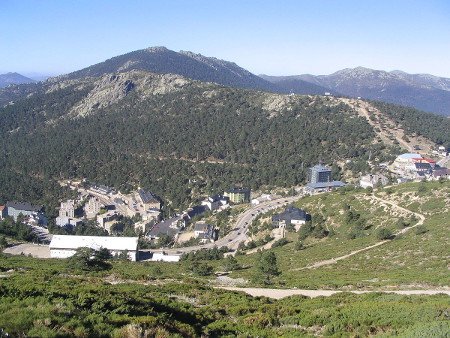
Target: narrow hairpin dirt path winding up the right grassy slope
394,205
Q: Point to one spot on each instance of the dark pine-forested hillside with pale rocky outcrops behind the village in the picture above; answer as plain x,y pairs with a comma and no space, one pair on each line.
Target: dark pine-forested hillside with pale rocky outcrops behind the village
175,136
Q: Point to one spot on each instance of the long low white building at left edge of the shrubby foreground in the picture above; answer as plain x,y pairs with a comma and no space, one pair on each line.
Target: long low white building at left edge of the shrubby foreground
64,246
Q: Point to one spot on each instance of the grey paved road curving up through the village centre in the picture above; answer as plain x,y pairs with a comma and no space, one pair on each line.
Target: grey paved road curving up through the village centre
239,232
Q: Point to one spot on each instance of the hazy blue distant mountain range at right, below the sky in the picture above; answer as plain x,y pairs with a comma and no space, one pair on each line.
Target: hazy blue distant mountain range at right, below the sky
421,91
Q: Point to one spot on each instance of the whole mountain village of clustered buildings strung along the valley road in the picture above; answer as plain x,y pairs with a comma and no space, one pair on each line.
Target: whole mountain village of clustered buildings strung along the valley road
186,231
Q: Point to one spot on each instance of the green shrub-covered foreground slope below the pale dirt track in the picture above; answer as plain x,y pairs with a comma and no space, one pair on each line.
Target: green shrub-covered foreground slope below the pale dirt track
52,300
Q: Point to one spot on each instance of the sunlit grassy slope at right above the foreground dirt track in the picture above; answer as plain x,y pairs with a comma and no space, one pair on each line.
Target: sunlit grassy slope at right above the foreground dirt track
407,261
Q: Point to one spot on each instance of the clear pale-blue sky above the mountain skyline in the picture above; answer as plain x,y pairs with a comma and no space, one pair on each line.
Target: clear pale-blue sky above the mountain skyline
283,37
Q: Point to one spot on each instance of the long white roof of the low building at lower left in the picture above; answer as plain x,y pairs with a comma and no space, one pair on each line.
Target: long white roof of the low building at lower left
94,242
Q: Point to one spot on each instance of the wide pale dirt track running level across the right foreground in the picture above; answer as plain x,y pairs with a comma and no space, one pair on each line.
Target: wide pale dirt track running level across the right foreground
282,293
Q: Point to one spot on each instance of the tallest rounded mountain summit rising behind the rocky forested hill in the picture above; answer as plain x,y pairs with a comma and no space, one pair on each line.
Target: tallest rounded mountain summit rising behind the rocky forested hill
191,65
